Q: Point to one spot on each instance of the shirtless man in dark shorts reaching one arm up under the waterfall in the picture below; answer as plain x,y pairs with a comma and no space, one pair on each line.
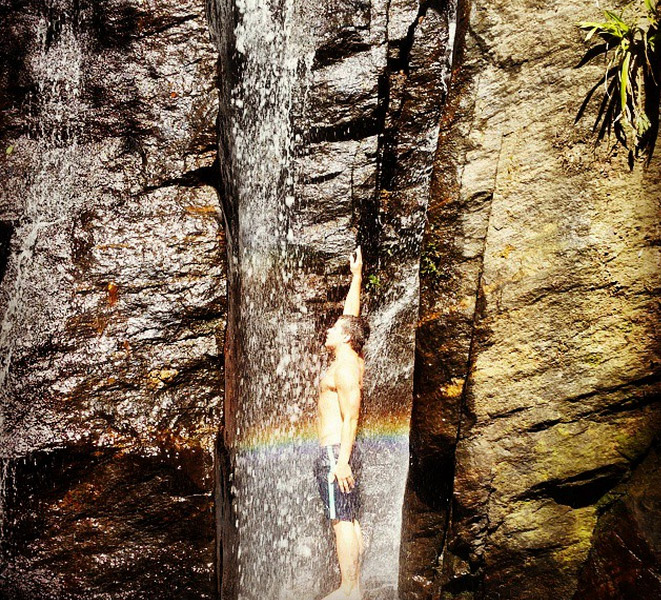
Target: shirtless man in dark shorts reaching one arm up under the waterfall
338,465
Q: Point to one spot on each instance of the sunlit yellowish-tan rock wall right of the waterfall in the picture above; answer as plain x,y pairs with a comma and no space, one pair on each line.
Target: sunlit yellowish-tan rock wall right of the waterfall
537,370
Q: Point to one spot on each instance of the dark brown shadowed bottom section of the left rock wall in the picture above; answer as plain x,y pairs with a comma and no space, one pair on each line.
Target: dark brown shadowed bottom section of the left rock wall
106,520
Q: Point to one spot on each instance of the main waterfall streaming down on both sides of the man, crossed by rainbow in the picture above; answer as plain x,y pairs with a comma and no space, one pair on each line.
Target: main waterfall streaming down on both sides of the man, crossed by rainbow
282,546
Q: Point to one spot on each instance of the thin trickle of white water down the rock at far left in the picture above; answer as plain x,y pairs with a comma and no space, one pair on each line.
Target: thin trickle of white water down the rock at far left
36,278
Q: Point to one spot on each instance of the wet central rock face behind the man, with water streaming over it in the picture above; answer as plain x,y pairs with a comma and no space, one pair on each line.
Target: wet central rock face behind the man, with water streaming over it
365,82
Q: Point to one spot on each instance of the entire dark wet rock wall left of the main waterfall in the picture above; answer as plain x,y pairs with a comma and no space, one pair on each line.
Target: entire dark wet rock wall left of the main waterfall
113,299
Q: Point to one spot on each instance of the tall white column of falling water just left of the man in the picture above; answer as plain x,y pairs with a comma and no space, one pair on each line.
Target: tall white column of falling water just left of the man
274,387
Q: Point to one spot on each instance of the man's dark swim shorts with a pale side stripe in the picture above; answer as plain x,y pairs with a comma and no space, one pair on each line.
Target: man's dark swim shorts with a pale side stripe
337,504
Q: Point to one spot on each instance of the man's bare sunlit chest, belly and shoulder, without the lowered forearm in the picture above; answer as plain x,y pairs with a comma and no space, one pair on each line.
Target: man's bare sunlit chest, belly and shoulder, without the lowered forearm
329,415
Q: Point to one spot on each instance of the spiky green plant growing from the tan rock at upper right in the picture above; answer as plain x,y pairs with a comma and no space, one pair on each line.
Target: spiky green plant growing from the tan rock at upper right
631,47
